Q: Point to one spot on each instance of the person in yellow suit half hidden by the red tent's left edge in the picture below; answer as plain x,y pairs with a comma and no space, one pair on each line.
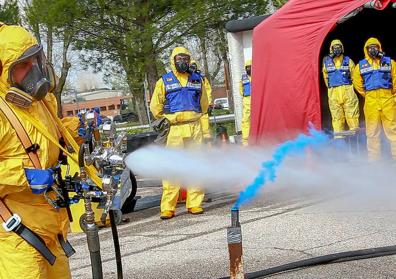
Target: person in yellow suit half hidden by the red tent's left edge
245,90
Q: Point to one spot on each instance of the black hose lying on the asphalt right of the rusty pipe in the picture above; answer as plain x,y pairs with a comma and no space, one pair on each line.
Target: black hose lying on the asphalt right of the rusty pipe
327,259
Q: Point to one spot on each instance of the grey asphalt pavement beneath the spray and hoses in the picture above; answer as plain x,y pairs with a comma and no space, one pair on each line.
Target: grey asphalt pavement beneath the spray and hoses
281,226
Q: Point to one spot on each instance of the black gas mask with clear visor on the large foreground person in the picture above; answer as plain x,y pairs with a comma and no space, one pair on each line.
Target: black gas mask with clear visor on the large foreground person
29,78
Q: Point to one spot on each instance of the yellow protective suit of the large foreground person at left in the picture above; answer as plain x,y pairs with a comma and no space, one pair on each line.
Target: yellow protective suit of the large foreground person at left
18,259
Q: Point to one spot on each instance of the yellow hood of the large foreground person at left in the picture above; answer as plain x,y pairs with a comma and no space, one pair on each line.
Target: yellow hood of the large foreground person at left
14,42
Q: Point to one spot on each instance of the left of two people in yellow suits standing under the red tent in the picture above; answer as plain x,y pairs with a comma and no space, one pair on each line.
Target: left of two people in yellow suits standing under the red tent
343,102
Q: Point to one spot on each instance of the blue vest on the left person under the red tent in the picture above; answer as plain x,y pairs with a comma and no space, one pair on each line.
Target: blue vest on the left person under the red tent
338,77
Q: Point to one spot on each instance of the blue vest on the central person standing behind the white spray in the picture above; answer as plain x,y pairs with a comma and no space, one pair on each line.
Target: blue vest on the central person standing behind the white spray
179,98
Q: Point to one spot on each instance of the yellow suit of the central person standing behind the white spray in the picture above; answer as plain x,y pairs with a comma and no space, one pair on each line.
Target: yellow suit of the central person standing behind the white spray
185,131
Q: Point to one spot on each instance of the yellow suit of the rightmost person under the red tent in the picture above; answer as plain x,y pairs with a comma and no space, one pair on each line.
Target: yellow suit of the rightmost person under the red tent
379,107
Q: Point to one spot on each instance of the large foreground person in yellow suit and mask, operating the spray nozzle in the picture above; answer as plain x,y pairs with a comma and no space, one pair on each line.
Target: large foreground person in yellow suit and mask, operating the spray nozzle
33,233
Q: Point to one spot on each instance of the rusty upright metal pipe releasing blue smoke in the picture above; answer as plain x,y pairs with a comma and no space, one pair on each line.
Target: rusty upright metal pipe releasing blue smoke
234,239
